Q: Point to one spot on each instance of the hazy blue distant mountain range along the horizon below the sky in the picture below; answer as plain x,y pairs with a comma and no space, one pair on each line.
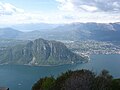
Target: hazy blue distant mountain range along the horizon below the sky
74,31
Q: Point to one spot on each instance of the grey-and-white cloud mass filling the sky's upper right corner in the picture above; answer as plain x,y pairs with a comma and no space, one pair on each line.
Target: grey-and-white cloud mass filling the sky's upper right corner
92,5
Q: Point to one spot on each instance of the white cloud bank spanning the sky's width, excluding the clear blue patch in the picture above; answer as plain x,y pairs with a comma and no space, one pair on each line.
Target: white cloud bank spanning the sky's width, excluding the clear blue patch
68,11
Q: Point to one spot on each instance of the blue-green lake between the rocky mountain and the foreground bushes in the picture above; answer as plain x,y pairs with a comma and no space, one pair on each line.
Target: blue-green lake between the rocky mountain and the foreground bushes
20,77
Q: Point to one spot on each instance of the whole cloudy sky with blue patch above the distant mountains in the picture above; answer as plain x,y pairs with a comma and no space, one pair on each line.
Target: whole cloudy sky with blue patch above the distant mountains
59,11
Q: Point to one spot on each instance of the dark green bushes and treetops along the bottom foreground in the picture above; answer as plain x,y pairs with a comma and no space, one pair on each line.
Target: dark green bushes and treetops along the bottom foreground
79,80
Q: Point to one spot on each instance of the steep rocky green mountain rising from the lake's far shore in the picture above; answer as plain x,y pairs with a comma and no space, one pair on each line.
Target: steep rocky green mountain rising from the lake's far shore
39,52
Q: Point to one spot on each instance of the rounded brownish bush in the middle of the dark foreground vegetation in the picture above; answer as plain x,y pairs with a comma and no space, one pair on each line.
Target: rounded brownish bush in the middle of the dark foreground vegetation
79,80
